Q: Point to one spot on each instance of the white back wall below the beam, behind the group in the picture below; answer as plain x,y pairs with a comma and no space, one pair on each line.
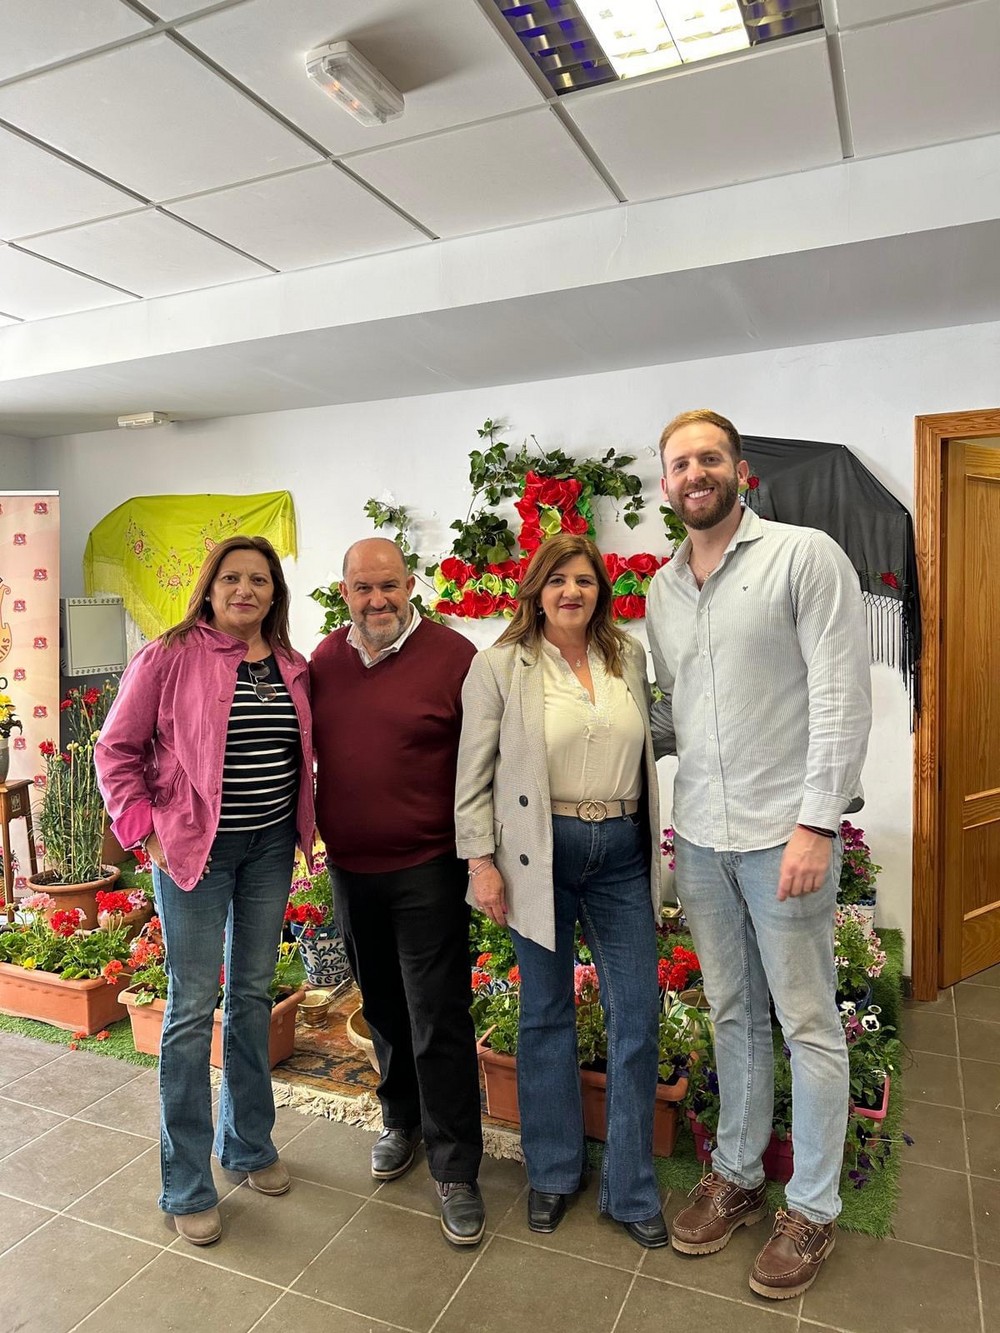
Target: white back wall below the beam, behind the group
862,394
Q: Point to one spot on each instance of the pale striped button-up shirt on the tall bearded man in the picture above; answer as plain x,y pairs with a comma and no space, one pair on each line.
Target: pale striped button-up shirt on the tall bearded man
767,686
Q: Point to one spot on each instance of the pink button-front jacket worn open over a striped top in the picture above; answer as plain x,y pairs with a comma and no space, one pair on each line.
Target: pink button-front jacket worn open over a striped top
161,754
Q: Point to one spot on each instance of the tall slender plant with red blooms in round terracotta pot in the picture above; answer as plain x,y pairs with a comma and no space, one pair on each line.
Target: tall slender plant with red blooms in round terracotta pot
71,818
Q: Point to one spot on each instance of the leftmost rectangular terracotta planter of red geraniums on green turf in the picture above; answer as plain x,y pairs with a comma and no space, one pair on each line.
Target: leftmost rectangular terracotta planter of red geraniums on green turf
54,971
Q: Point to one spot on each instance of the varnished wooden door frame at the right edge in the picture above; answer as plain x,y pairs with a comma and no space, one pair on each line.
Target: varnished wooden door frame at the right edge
930,458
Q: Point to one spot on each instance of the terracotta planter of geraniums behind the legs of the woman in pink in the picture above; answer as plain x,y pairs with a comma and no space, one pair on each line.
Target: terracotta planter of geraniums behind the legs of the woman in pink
147,998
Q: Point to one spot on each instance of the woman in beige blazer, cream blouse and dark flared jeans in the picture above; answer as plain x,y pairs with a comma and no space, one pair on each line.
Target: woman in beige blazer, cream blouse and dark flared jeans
557,803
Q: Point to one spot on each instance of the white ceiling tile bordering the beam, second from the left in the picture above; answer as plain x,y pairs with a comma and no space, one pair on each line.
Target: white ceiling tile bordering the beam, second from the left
147,254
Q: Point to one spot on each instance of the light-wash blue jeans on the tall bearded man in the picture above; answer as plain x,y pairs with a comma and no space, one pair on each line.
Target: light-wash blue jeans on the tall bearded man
749,944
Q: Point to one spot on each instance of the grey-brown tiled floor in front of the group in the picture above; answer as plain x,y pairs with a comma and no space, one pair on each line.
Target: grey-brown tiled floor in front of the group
83,1246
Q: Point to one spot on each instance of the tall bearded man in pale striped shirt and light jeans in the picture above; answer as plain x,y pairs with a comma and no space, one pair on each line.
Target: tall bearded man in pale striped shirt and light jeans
758,637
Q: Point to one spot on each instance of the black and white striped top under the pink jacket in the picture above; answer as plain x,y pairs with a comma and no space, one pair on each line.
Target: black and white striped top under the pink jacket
263,754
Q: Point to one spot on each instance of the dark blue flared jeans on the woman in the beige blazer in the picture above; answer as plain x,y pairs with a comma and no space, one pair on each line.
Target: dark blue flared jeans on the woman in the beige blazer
602,876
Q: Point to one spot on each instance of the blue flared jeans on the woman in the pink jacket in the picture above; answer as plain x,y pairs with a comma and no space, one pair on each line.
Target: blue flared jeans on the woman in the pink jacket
241,900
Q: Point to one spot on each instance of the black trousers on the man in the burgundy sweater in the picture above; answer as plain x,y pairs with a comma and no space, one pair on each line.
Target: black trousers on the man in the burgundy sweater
407,936
